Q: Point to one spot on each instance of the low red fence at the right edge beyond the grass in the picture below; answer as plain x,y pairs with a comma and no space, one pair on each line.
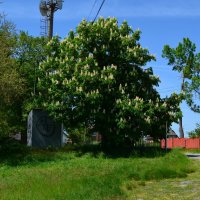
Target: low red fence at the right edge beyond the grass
187,143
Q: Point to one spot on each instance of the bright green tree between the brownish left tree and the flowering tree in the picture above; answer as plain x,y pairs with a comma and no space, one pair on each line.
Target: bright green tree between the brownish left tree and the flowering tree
29,53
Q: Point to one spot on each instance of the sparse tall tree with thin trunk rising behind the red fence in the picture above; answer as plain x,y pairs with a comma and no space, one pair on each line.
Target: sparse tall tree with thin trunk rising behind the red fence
184,60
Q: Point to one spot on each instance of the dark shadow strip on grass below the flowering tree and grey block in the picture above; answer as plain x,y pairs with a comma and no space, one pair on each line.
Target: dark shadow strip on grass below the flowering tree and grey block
13,153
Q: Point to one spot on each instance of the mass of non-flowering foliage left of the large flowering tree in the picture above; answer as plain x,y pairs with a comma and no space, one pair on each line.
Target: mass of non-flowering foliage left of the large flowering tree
20,58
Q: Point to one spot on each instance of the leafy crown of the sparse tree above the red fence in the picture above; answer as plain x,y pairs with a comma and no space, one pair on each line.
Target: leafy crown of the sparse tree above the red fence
185,60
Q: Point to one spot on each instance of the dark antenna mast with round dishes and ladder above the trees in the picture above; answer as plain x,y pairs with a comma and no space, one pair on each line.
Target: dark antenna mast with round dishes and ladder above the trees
47,9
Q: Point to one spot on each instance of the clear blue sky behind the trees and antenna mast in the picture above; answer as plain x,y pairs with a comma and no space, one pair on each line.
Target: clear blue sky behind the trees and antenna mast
161,22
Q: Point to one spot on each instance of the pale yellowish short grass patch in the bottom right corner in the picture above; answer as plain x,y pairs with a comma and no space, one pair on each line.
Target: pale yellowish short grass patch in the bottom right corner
185,188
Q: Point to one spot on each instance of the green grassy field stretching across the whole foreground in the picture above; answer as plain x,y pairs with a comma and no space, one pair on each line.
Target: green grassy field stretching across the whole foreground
84,174
